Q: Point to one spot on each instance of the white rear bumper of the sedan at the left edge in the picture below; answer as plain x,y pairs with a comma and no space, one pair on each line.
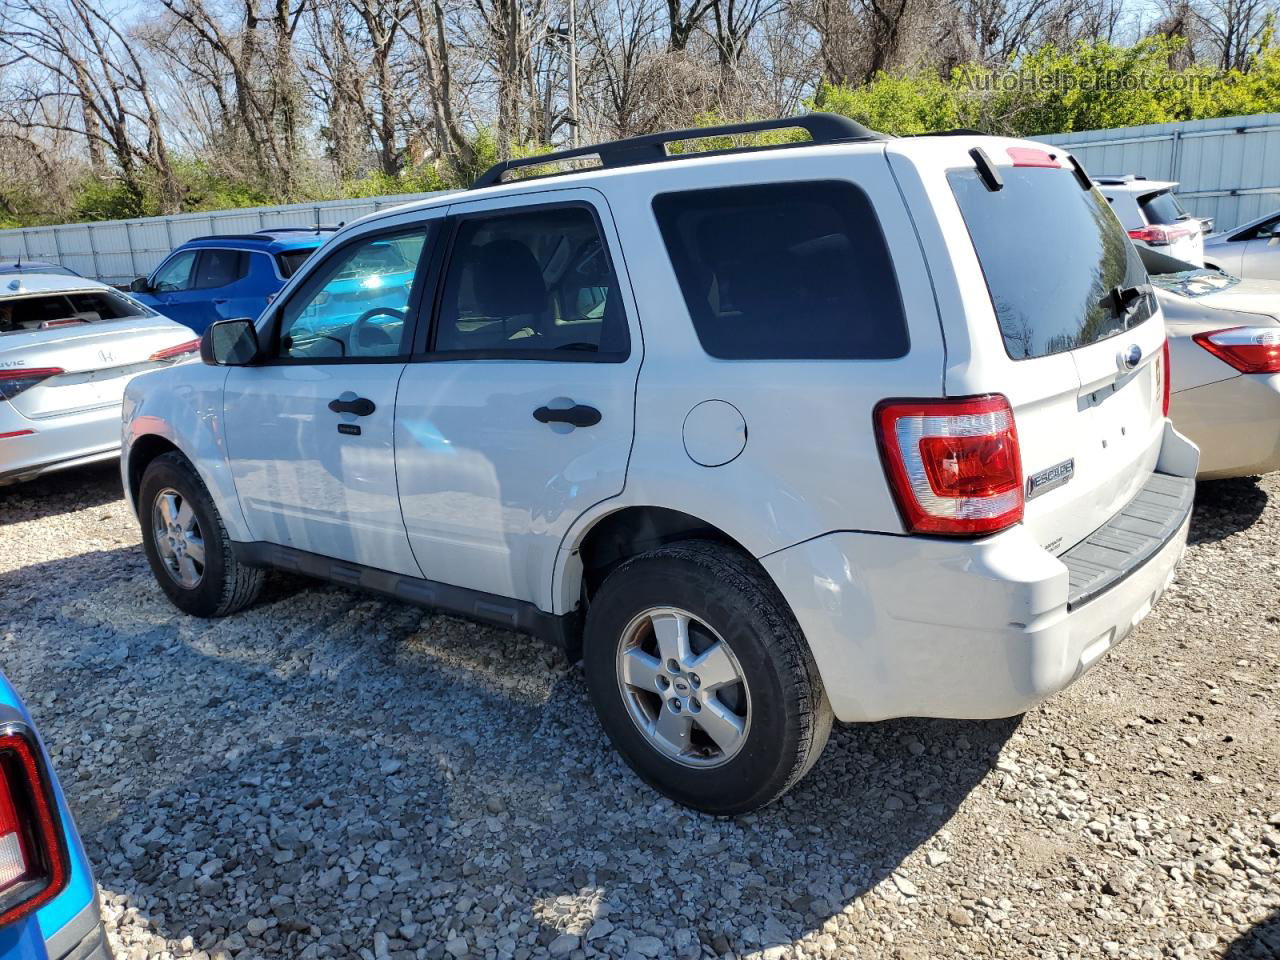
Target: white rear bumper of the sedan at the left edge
56,444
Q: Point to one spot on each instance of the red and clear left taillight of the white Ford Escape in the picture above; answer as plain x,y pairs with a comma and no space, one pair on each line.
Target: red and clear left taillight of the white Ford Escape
954,465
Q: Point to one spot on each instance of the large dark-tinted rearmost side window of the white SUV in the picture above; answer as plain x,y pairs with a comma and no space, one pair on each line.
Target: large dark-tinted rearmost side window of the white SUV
785,272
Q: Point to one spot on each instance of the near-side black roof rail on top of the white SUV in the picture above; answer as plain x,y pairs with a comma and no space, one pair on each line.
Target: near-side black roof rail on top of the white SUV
652,148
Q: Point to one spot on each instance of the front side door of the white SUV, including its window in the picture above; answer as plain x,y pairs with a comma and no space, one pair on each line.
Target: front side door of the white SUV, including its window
310,429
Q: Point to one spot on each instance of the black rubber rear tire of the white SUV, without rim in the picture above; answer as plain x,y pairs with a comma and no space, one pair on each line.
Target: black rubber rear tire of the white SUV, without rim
790,716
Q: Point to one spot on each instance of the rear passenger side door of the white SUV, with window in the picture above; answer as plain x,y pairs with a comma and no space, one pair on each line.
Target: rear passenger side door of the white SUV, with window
520,417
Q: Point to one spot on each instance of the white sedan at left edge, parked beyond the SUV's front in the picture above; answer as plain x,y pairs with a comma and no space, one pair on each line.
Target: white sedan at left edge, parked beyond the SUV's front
68,348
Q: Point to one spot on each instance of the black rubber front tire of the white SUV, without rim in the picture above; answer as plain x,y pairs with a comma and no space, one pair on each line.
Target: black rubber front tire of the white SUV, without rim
226,584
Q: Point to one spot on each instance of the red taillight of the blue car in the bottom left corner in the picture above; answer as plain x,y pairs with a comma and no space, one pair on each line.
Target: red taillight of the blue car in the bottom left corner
33,856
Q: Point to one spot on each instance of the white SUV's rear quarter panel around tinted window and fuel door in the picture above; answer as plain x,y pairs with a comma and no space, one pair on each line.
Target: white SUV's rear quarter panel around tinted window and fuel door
811,464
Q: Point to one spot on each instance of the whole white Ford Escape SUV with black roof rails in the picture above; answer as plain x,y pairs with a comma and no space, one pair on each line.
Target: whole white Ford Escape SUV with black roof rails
770,437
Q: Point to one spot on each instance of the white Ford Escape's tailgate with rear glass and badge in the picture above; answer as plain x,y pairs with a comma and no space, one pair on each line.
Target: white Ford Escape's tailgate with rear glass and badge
1078,342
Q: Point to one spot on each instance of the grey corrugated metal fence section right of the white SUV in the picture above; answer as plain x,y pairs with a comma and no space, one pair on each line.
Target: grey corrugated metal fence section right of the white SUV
1229,167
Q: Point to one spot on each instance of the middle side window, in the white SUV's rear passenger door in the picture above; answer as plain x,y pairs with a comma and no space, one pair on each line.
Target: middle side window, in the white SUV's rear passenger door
537,285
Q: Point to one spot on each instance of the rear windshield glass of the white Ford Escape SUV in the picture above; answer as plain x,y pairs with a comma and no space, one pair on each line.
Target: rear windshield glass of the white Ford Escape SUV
1052,254
